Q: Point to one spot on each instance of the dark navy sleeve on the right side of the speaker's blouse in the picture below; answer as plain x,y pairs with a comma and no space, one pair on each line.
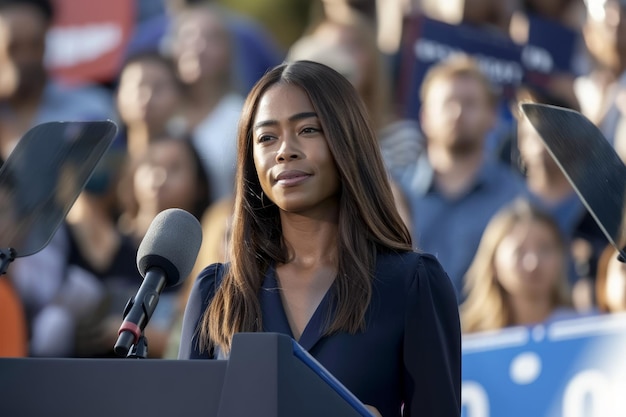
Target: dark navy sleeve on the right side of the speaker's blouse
432,344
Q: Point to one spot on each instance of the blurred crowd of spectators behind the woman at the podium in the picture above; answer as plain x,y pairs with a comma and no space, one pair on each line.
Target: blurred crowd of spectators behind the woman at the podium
472,178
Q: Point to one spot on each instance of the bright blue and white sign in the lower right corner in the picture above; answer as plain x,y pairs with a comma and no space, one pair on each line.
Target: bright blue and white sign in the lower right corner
569,368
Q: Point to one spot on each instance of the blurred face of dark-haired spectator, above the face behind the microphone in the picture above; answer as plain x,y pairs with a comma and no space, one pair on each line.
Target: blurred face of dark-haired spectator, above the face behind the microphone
148,94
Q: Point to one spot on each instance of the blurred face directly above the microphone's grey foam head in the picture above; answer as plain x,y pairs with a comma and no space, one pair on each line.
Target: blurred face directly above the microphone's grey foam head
166,178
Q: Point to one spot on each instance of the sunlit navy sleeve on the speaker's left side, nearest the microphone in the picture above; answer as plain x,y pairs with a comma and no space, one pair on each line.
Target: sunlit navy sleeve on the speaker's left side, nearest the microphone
199,299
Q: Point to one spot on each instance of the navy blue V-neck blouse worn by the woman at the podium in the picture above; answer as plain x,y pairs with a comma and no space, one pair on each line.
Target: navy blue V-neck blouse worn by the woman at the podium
409,353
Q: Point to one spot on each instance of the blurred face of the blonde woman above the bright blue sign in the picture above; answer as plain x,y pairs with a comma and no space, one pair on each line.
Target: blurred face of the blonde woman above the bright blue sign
529,260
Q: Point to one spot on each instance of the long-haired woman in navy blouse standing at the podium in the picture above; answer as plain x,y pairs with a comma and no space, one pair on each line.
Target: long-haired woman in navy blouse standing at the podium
319,252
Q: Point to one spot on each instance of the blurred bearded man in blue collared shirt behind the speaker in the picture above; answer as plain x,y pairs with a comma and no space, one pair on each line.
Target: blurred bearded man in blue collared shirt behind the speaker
455,188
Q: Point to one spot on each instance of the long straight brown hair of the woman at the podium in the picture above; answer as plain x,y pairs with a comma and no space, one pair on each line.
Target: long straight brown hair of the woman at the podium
368,219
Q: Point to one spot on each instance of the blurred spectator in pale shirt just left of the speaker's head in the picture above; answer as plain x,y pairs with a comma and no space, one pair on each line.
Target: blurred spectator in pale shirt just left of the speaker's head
202,47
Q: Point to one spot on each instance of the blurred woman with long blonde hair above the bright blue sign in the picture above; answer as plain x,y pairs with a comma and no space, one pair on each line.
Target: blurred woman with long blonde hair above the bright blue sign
518,276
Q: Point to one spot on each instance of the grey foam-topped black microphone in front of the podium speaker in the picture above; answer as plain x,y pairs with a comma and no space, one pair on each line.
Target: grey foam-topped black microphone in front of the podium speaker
165,258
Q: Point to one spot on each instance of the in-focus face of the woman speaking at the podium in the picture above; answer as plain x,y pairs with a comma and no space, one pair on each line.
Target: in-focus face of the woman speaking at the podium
294,164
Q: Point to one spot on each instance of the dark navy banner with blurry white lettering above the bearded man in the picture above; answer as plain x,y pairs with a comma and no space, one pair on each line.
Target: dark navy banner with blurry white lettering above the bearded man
550,48
